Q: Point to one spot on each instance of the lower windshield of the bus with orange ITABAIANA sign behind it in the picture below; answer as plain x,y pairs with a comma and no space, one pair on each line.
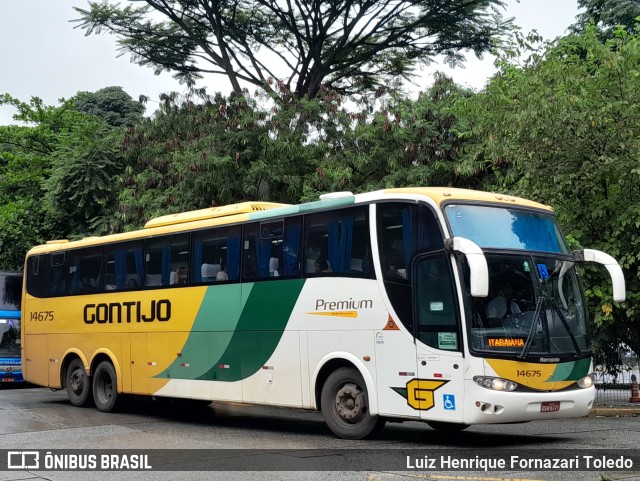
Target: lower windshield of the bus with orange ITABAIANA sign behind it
535,308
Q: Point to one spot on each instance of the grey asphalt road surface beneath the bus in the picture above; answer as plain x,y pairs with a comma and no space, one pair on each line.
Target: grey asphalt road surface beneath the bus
235,437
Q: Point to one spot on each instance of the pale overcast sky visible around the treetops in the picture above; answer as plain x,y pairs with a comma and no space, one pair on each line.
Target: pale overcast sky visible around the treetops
42,54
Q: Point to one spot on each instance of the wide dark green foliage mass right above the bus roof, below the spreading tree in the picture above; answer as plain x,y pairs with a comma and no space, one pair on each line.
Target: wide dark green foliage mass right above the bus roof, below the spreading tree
227,150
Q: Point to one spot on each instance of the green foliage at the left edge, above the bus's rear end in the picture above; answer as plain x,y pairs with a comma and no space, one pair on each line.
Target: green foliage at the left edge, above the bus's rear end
54,169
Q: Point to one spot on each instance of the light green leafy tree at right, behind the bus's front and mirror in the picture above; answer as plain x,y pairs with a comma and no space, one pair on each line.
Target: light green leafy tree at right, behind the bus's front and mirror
563,128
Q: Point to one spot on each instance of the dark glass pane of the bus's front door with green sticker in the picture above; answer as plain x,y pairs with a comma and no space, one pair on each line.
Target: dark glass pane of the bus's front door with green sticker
436,304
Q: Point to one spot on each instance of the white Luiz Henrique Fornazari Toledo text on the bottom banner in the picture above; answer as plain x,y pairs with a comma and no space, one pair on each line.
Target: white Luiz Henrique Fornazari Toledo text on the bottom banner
516,462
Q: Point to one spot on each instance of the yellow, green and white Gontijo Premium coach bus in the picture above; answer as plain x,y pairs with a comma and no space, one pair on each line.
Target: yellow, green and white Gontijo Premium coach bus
367,307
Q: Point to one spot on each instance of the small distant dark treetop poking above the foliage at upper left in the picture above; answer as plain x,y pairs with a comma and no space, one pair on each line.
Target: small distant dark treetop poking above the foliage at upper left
111,104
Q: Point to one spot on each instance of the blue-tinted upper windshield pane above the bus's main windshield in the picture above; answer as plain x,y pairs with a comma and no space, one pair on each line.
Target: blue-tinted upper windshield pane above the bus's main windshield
505,228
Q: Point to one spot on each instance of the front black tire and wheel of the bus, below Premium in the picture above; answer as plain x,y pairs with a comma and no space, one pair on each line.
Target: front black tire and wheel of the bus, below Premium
345,405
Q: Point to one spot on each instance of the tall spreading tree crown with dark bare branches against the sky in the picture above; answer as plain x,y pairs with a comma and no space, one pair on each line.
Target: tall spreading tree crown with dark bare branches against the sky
301,46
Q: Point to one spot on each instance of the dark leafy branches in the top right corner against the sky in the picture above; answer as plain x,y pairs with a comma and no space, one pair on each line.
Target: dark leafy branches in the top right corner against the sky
607,14
